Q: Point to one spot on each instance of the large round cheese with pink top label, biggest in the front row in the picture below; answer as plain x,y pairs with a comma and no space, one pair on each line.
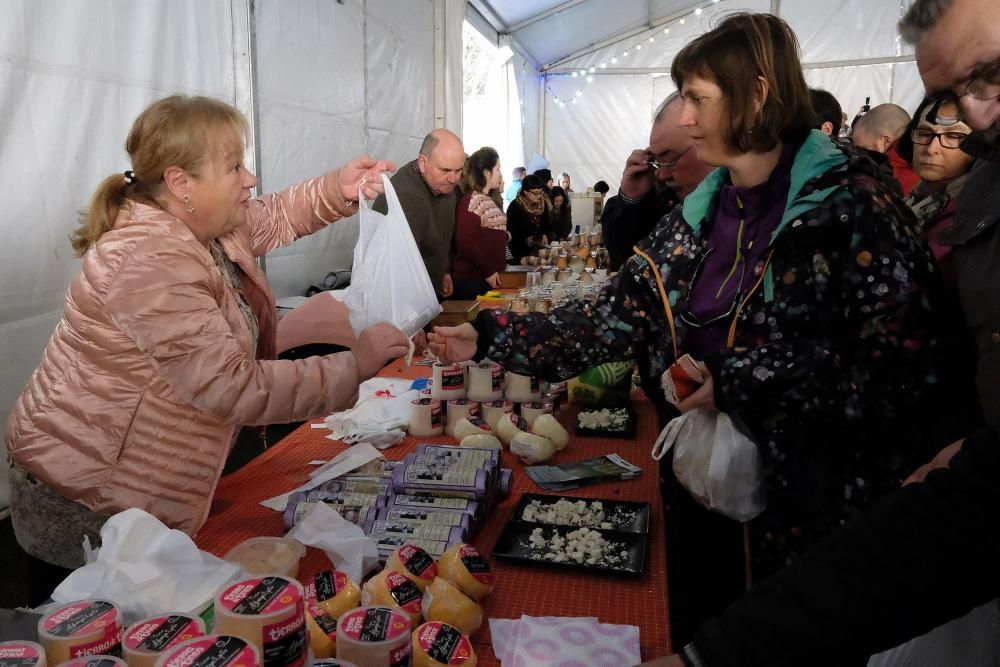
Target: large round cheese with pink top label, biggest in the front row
270,613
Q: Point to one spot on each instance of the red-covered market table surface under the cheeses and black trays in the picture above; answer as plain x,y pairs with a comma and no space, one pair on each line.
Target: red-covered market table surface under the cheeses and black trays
521,589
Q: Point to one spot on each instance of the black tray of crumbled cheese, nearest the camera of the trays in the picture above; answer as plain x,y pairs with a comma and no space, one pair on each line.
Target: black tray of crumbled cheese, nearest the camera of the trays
513,545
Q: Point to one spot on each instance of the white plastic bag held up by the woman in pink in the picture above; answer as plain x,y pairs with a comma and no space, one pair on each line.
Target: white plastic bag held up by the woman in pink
389,282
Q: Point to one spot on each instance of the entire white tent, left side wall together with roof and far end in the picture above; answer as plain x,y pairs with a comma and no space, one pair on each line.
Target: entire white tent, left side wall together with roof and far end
323,81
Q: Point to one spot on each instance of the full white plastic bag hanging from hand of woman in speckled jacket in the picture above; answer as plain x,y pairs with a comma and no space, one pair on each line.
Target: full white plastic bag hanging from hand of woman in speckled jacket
715,462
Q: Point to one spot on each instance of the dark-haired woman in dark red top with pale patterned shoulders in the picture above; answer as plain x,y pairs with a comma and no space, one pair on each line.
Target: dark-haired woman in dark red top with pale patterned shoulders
480,252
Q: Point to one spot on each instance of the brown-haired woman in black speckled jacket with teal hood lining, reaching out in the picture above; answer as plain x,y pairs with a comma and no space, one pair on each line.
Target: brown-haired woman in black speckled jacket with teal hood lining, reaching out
793,276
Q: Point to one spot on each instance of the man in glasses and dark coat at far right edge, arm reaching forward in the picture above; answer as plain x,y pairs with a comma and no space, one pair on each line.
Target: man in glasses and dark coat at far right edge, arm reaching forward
931,551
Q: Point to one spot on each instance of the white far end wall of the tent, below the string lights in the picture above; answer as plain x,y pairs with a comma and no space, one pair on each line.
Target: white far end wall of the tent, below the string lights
619,101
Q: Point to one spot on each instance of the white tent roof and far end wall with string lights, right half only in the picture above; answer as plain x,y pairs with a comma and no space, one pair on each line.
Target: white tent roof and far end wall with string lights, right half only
849,47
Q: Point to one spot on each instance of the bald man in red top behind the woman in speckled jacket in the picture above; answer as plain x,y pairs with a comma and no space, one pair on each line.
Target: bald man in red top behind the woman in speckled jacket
877,132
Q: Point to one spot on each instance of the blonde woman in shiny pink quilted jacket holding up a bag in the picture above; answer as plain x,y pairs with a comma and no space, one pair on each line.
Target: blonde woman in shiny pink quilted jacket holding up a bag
166,344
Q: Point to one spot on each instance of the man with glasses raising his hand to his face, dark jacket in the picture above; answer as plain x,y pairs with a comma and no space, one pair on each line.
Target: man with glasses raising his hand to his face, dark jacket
655,180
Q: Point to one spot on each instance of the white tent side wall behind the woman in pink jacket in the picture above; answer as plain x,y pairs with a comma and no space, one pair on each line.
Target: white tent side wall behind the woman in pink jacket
334,80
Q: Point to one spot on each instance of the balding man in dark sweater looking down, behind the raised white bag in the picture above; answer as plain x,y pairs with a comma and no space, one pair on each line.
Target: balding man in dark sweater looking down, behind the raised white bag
426,191
